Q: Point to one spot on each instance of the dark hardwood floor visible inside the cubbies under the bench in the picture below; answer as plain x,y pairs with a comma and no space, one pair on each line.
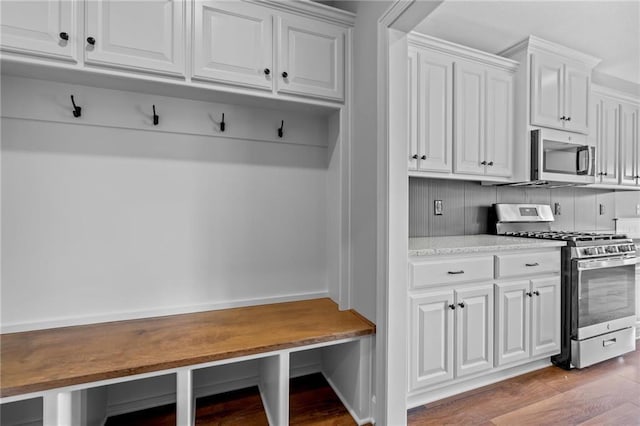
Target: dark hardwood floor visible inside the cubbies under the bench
312,403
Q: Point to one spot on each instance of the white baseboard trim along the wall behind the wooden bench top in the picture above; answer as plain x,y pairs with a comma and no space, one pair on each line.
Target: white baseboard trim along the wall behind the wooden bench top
14,327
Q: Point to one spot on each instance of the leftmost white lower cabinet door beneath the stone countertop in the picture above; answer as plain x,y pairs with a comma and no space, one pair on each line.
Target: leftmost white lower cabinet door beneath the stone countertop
431,358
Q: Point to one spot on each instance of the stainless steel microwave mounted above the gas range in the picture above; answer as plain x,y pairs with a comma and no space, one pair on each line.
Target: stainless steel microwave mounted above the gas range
558,156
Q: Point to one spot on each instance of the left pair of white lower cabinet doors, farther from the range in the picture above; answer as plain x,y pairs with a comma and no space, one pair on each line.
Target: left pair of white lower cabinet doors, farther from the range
453,330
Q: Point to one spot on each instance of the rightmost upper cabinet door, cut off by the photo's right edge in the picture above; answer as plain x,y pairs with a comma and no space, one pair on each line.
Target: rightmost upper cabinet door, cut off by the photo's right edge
629,145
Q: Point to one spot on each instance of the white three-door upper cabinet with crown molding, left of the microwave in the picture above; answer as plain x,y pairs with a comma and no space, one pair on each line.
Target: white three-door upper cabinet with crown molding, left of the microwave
462,124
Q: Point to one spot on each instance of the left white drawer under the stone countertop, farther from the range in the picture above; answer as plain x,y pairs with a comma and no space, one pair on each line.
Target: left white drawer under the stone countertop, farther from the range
446,271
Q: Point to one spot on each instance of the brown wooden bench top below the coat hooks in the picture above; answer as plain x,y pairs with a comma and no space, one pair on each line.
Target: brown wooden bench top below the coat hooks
45,359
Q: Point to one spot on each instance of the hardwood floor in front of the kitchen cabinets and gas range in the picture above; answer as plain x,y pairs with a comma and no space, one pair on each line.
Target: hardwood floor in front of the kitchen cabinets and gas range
604,394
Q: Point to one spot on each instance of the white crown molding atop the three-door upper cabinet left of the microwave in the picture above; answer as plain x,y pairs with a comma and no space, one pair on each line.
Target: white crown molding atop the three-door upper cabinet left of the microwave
463,52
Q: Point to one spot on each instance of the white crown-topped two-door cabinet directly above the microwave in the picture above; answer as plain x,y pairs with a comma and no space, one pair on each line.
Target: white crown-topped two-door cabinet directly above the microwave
555,84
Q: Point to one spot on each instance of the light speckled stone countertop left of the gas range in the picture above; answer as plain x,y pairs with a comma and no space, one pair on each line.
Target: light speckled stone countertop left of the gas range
465,244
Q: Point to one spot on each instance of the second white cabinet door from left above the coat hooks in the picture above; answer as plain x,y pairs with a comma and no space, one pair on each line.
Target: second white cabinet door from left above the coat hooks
146,36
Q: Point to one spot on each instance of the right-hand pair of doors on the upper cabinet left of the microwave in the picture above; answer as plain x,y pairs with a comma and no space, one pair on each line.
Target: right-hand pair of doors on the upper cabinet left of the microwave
483,120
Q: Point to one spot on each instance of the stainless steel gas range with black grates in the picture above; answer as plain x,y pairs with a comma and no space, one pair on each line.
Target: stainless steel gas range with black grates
598,285
